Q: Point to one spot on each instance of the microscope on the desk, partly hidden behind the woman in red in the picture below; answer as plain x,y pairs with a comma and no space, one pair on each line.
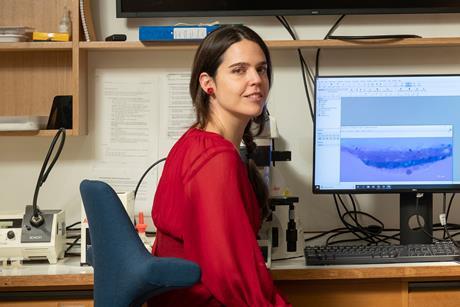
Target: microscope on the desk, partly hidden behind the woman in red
281,234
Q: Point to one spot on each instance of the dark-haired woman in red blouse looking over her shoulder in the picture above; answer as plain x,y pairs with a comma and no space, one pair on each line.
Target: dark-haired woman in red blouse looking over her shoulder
209,204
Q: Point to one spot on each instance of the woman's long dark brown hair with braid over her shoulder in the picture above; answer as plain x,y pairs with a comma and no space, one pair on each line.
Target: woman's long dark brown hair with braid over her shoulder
208,59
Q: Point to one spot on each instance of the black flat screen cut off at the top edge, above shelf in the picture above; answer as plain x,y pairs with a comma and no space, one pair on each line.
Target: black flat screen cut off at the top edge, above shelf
214,8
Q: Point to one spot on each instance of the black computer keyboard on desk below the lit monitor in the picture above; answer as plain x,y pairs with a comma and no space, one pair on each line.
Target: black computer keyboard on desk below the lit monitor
378,254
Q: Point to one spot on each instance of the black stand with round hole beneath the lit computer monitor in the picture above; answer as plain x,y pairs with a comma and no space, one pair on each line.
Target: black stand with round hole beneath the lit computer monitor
411,233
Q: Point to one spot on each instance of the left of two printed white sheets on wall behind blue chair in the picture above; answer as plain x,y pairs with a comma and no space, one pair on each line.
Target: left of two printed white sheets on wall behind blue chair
126,127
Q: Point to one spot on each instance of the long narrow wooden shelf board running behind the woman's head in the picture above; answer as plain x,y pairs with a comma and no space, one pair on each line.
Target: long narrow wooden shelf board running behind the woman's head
281,44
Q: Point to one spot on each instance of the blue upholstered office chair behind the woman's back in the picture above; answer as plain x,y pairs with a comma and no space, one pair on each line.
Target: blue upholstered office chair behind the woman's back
125,273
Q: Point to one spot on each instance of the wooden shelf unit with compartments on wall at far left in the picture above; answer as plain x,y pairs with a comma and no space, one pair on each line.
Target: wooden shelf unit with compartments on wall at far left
33,73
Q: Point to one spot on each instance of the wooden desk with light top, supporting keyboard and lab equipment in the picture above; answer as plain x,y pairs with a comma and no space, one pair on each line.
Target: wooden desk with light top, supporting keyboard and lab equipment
405,285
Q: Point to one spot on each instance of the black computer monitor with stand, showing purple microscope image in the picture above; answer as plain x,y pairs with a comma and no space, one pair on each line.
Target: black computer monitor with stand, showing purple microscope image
389,134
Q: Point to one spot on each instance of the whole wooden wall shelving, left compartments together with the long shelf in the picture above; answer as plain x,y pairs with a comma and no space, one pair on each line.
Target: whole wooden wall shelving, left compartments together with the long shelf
32,73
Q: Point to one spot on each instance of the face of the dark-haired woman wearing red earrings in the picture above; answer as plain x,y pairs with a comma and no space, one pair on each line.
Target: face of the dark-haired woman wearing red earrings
241,83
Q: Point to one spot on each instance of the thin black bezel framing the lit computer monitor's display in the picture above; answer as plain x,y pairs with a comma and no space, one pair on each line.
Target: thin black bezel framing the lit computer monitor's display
413,189
